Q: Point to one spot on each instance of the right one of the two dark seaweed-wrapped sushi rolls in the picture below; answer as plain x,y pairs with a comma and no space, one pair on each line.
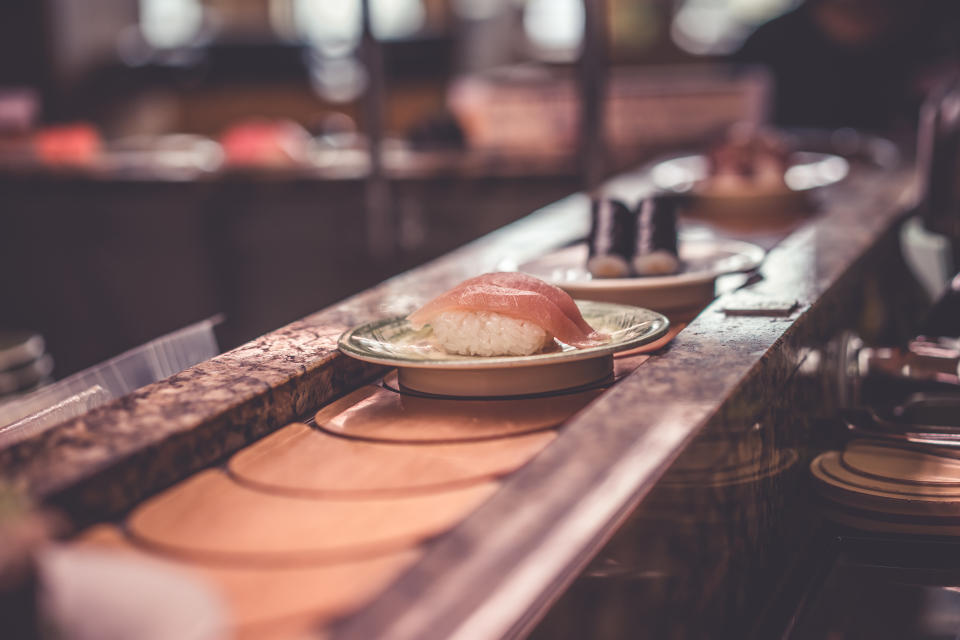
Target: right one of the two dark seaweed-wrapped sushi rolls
655,246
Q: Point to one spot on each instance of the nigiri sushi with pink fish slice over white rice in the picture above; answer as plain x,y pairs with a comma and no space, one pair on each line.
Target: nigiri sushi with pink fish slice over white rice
501,314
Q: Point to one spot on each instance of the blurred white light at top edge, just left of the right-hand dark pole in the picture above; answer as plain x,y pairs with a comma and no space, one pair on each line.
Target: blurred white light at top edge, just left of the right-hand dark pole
554,27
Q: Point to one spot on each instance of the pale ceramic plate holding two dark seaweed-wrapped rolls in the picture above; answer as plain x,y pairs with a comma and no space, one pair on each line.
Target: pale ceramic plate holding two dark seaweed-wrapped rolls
704,259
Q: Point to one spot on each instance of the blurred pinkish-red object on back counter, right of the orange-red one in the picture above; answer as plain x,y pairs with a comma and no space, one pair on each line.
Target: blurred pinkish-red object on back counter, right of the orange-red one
266,143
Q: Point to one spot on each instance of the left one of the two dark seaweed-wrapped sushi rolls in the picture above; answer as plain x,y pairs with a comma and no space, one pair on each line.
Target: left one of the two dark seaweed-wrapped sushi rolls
611,239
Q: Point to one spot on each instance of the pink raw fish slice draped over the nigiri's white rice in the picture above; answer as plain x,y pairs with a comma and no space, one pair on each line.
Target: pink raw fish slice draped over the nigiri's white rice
515,303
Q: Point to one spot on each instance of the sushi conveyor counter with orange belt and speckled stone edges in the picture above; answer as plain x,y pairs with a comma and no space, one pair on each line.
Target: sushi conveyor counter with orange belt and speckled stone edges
312,498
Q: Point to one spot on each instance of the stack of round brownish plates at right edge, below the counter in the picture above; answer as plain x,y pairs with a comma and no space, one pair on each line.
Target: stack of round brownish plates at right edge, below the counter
893,488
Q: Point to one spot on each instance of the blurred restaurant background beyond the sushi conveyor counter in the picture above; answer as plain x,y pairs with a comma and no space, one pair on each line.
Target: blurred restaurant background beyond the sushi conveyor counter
164,161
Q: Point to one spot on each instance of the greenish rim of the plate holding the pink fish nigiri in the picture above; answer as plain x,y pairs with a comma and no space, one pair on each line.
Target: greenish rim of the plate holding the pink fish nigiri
502,362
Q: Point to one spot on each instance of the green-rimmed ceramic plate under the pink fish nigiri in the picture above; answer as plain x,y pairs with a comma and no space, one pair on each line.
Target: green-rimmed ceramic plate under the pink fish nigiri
426,368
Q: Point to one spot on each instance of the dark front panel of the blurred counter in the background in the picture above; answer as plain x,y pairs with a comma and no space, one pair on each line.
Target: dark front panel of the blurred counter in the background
217,242
